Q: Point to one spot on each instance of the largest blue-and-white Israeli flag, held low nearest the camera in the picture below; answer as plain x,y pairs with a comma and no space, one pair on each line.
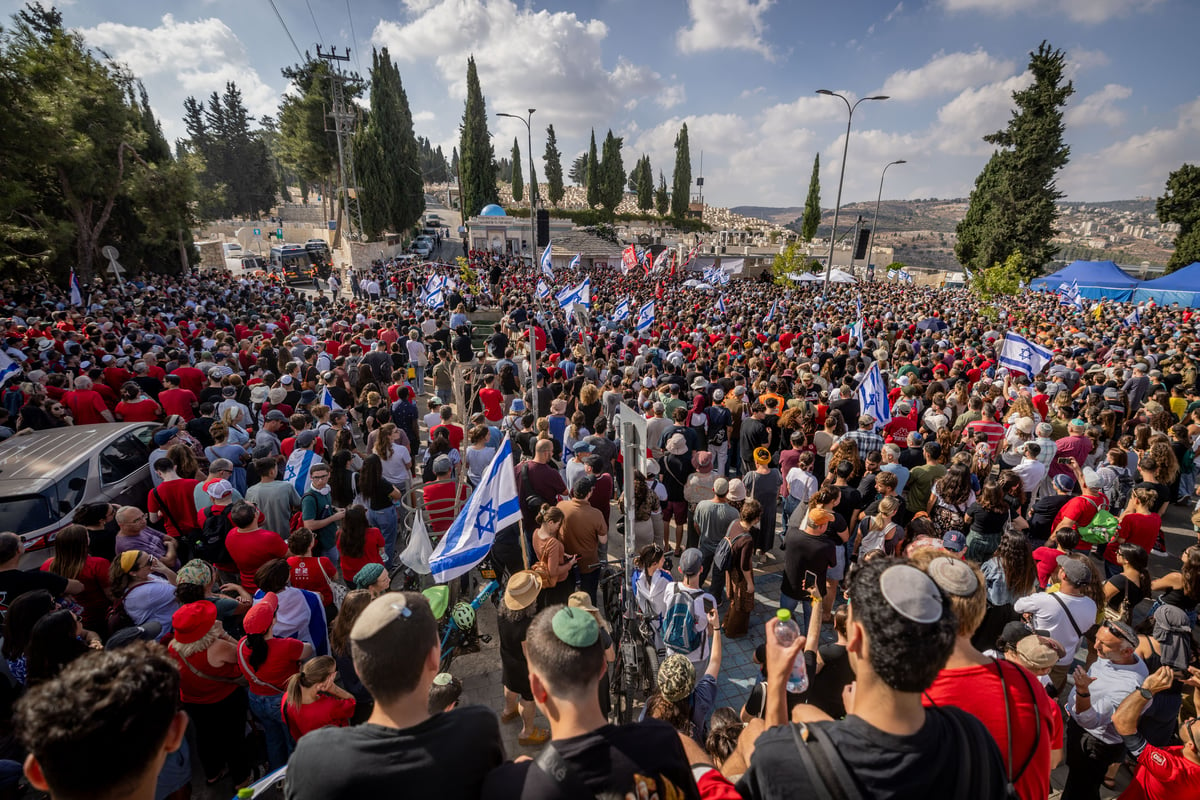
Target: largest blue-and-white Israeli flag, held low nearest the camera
493,508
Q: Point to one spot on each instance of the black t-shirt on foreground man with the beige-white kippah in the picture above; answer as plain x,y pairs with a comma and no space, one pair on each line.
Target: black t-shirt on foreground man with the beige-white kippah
447,756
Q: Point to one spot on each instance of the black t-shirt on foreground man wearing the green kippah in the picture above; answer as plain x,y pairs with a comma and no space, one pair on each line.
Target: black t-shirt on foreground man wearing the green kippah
607,761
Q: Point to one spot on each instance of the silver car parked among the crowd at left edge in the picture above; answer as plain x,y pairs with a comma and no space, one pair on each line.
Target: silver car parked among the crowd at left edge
46,476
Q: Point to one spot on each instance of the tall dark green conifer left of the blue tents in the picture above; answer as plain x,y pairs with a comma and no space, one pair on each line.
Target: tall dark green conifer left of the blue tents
1012,208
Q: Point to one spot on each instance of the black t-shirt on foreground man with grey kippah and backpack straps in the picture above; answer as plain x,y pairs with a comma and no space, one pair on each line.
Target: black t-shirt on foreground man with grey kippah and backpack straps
885,767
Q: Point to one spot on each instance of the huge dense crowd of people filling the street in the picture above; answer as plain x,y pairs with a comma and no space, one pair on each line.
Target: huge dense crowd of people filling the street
971,576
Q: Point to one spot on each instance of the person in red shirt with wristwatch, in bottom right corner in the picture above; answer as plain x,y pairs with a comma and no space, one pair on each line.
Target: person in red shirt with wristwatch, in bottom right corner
1163,773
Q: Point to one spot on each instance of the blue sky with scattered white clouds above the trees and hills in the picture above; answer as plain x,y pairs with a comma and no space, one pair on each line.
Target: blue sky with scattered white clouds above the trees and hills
742,74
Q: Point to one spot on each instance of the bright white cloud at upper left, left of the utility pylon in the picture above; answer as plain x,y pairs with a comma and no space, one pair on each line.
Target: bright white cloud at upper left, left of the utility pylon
178,59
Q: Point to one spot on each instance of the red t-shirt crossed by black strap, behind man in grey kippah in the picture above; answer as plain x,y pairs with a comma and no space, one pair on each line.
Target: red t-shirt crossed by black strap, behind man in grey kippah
977,691
